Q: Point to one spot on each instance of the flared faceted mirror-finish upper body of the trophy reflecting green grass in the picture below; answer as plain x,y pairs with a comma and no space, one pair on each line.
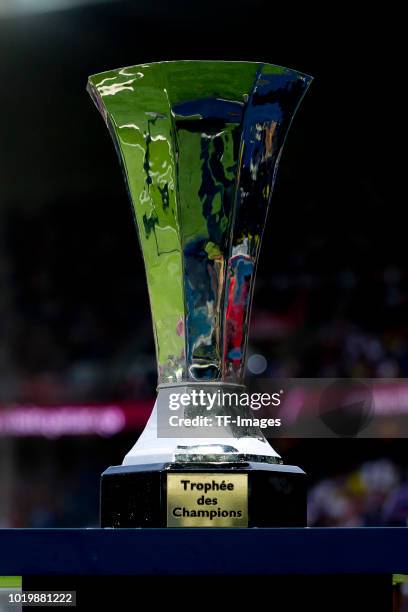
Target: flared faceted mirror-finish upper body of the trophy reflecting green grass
199,143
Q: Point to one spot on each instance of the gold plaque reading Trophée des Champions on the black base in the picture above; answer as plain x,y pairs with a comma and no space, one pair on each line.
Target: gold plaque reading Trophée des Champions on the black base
207,500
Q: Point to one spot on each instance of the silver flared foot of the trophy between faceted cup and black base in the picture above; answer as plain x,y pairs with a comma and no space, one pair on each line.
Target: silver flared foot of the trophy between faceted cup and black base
214,433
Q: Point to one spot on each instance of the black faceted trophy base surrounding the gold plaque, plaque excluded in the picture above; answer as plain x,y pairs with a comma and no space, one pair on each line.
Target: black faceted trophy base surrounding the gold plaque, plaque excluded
136,496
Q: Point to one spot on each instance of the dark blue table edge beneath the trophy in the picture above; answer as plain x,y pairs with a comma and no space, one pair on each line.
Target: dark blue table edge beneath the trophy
368,550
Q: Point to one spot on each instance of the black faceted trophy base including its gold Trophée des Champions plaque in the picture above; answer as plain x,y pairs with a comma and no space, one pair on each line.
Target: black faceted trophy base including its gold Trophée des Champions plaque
244,494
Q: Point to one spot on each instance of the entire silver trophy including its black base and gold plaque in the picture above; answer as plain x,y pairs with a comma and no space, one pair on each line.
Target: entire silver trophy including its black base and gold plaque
199,143
